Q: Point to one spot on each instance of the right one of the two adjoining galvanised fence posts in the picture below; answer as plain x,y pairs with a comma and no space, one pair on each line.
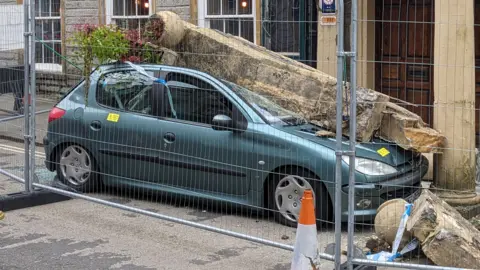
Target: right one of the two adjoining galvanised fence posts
353,133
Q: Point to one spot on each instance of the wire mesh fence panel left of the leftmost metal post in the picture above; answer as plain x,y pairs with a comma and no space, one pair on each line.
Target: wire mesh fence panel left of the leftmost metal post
12,81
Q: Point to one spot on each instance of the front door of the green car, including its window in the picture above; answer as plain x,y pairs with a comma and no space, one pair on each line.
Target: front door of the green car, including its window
199,157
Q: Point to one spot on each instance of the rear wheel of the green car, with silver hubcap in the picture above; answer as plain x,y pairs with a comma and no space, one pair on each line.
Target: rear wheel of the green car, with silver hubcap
76,168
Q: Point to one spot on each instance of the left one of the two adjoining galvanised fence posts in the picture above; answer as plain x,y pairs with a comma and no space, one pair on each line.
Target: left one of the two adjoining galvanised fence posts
339,152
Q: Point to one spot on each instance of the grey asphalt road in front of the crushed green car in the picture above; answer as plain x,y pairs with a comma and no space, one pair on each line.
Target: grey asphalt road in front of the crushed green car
77,234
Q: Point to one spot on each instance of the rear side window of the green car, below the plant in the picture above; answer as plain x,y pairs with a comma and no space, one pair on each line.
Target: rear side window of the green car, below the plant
125,91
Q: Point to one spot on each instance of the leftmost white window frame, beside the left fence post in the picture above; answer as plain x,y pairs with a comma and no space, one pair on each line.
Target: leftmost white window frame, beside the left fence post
39,20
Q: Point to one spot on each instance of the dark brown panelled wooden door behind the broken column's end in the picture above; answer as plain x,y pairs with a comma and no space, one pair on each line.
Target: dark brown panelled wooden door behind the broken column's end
404,53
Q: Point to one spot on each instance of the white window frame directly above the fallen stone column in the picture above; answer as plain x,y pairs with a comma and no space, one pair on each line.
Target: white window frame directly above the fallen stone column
204,18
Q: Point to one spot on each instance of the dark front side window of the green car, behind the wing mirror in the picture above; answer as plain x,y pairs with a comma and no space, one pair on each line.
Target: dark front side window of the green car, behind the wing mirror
194,100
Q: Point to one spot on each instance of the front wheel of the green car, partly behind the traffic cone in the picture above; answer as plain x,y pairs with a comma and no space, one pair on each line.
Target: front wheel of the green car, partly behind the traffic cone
288,179
